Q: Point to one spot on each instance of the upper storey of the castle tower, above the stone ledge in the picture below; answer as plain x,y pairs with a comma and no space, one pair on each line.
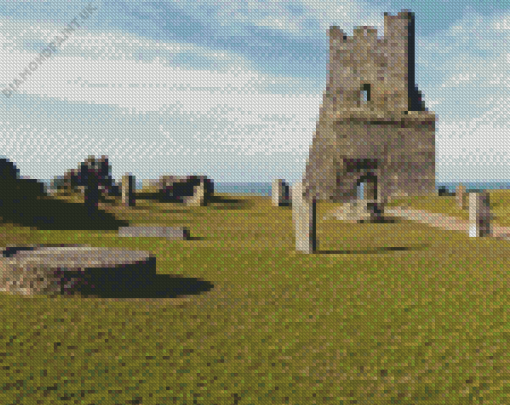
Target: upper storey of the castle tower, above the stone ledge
386,64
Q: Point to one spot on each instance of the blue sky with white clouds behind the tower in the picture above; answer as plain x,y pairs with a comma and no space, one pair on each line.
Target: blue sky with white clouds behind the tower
232,89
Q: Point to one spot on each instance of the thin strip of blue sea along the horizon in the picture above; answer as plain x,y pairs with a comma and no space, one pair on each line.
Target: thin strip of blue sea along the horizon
264,189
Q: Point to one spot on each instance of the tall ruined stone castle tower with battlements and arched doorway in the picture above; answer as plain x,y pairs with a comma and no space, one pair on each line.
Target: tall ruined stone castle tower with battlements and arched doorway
373,126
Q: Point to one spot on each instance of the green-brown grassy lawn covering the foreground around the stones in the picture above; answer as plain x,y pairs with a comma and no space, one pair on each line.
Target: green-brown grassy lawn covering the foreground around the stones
393,313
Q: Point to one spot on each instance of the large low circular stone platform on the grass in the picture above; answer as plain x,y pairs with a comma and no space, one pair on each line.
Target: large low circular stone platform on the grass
67,269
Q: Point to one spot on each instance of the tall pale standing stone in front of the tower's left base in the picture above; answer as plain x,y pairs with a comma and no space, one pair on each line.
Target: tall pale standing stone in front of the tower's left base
304,220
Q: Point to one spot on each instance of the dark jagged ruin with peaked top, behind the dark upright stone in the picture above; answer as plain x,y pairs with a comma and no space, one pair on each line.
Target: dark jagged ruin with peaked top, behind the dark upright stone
76,179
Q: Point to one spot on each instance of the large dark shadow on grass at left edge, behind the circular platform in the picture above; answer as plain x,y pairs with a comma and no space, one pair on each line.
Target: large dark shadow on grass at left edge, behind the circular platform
50,214
